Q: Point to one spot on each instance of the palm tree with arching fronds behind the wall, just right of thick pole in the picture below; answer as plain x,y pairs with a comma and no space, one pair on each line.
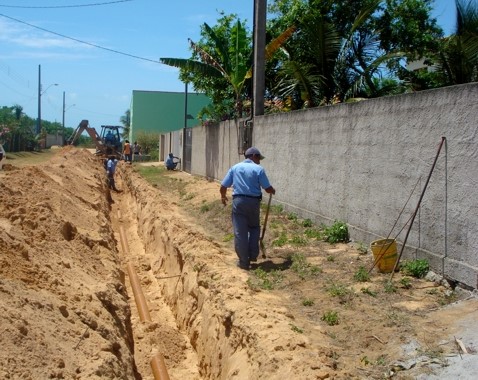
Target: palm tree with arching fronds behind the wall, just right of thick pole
328,67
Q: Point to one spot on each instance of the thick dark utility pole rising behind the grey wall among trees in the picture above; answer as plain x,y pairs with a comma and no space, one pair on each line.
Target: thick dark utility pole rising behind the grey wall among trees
259,76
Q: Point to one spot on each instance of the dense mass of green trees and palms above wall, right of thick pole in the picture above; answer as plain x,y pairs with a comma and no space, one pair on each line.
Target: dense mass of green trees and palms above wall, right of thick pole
349,49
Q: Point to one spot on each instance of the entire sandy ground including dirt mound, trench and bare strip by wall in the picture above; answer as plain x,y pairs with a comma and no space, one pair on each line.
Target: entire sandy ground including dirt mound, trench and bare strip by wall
67,309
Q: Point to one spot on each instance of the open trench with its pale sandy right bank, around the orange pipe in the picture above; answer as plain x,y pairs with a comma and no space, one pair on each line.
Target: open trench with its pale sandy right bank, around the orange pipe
205,321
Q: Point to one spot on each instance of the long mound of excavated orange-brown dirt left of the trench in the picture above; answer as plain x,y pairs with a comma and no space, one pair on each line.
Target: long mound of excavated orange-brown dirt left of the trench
64,308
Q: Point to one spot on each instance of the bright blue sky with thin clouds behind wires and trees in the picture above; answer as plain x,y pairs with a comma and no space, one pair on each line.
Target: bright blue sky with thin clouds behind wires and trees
98,83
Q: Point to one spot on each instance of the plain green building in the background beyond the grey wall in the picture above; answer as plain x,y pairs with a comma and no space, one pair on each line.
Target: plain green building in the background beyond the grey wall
163,112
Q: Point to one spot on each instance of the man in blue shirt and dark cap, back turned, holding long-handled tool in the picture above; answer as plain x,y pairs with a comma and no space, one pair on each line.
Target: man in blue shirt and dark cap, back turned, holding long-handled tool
248,178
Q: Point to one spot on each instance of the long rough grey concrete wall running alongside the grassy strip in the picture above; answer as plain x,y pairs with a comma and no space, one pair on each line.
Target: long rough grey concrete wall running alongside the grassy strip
367,164
